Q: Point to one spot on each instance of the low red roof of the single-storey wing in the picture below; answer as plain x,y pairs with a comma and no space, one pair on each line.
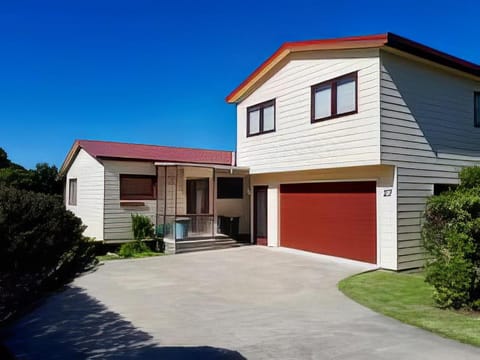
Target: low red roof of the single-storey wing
125,151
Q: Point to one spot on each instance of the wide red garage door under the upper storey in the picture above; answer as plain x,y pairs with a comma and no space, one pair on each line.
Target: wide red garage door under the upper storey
336,219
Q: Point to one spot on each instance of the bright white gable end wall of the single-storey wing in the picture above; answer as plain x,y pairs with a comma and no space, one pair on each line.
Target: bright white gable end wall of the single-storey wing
90,185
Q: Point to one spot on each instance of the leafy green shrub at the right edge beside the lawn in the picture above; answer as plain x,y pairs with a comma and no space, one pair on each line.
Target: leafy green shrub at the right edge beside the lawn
451,237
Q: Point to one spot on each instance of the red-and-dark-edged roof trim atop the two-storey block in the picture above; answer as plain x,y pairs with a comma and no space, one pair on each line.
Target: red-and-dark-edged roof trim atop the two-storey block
387,40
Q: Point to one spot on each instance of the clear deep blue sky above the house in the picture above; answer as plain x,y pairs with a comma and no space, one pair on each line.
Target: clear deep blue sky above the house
157,72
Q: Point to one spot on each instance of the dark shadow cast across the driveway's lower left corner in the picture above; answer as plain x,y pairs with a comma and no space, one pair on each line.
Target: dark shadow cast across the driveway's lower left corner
72,325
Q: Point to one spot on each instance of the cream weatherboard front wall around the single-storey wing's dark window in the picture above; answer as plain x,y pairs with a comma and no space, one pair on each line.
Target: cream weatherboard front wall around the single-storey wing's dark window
118,220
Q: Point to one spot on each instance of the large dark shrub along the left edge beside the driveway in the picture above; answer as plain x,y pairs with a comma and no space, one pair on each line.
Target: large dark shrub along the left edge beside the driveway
41,247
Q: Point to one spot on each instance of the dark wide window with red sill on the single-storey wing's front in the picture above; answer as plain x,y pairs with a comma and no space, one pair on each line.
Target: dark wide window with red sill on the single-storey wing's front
137,187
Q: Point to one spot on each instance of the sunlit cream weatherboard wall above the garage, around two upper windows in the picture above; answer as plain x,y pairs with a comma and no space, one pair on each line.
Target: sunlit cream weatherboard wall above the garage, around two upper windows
297,144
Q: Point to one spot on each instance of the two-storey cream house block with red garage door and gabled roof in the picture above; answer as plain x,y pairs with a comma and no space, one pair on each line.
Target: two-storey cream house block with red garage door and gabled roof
345,140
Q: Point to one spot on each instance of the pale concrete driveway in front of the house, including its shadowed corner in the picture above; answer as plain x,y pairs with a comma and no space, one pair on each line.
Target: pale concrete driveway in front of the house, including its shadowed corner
250,302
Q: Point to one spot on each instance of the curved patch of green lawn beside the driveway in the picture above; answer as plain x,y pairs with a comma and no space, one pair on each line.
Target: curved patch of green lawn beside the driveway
408,298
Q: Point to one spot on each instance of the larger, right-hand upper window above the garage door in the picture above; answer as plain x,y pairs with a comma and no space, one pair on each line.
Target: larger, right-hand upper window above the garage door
334,98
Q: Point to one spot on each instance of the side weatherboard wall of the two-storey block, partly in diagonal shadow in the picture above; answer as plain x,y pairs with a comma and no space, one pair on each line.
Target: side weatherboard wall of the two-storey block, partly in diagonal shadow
427,132
